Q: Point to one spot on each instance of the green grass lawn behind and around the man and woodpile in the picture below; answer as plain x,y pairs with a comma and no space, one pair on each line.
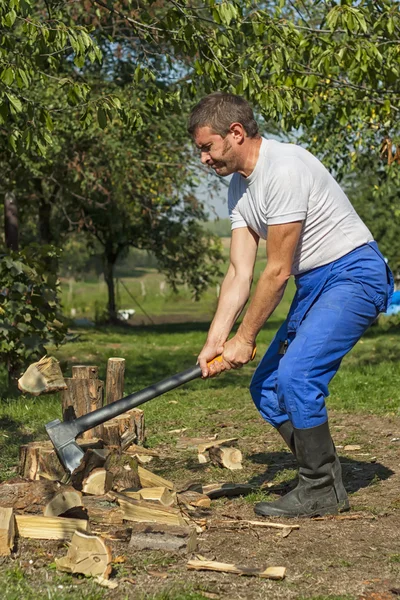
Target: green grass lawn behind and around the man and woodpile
367,383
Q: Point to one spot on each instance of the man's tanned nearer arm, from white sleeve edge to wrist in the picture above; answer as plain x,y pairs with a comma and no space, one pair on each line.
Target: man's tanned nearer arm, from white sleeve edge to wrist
282,242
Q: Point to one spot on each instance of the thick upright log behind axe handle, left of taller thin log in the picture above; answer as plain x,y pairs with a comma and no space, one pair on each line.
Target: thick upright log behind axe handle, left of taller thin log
83,395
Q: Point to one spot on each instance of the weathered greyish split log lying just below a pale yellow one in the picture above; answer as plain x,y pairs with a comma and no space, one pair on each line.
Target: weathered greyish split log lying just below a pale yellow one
169,538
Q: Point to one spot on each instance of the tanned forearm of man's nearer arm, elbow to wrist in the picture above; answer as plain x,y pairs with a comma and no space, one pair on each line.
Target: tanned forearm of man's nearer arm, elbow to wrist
268,294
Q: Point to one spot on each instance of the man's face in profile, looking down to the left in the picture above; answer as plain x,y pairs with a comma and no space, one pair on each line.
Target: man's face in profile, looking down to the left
215,151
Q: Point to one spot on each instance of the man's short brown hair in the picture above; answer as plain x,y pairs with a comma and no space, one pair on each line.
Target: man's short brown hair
219,110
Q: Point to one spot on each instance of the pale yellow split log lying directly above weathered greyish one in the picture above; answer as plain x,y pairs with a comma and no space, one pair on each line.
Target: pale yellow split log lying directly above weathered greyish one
143,511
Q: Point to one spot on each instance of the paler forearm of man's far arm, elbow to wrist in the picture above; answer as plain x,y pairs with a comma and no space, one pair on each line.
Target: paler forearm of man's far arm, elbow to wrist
235,291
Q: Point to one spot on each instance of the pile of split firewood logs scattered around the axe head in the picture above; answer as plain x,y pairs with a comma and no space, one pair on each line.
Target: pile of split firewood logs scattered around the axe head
111,495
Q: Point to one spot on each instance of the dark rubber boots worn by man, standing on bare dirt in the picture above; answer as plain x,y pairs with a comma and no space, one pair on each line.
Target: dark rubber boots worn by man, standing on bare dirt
316,492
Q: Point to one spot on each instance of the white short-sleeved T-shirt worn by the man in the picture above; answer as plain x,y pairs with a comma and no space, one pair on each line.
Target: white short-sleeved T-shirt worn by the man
289,184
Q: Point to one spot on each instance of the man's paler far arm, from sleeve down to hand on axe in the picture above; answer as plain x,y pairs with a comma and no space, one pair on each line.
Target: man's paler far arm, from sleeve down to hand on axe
235,291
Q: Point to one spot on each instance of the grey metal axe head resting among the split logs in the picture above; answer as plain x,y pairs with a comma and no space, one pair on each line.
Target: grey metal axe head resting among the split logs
63,435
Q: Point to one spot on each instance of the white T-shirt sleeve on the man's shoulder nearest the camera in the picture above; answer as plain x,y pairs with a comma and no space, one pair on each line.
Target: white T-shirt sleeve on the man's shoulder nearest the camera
288,192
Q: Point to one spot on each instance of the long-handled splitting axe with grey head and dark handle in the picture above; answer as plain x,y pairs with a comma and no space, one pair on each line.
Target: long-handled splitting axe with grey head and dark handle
63,434
